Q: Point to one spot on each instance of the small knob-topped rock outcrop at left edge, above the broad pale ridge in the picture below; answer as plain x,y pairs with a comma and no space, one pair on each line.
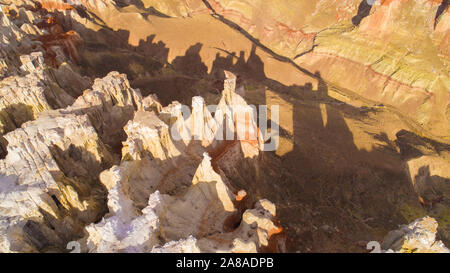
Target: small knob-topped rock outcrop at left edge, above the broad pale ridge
25,96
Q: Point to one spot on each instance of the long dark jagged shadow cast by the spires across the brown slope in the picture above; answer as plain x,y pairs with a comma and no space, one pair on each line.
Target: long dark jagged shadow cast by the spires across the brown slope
330,194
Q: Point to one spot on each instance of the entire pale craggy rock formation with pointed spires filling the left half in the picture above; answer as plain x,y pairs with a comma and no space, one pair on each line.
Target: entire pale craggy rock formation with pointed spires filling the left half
98,163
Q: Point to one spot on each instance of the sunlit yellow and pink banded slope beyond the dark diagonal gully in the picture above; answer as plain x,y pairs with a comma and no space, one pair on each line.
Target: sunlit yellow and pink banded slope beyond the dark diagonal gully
391,52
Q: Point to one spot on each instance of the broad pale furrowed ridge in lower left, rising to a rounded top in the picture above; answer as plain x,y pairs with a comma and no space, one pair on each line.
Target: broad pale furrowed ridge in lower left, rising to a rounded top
52,165
